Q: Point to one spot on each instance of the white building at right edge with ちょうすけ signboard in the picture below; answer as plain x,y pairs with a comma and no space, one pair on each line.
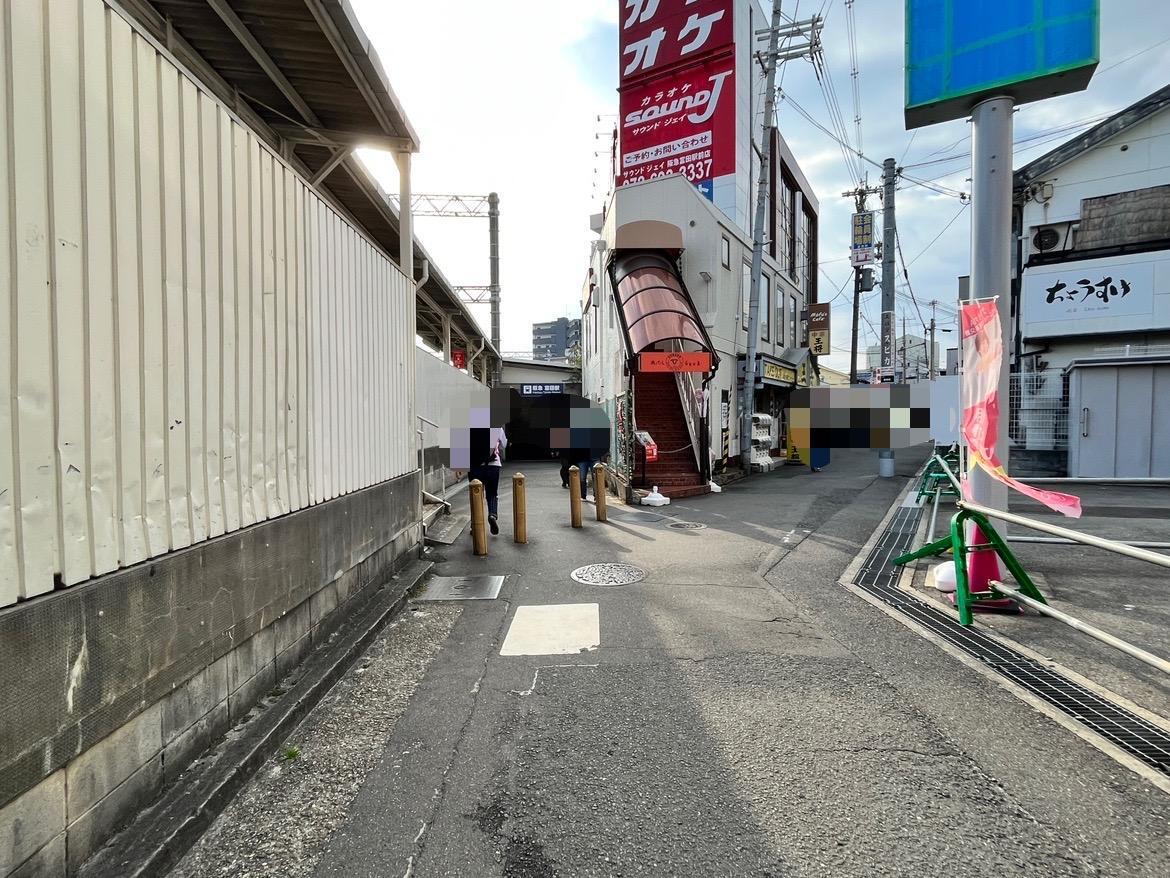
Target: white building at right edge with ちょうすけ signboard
1092,299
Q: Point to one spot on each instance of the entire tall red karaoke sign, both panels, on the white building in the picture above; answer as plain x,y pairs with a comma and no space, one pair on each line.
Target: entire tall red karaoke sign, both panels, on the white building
677,92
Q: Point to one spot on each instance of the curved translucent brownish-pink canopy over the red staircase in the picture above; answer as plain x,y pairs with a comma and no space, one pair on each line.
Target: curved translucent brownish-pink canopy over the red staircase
656,310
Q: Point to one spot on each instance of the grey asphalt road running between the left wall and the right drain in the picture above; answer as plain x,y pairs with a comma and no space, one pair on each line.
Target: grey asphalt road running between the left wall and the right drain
739,714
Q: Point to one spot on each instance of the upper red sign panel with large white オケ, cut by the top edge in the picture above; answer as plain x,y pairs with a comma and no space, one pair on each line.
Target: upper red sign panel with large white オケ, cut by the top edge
660,35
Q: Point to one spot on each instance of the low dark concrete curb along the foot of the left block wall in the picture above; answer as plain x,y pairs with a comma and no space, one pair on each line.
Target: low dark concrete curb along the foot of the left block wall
163,833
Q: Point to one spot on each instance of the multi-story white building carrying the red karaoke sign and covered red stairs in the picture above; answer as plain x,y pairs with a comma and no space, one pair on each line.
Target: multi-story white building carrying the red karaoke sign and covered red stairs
666,303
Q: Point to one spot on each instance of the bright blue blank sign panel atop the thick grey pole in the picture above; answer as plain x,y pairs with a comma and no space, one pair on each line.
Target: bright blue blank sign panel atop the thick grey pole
960,52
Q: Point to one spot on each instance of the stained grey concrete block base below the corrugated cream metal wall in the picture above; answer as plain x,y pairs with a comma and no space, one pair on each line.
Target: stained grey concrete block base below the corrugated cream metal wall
112,689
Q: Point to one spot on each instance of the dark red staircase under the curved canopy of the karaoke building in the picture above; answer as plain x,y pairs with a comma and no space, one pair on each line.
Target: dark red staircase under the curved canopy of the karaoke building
658,410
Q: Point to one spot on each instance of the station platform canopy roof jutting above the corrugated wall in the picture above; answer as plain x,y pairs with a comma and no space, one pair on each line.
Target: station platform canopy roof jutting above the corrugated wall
305,77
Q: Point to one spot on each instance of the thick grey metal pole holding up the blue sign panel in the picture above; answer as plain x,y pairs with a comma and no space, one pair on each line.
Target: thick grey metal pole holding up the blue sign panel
992,197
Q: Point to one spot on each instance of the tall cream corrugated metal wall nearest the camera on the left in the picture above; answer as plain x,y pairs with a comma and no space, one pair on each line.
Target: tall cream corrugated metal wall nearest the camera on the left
197,341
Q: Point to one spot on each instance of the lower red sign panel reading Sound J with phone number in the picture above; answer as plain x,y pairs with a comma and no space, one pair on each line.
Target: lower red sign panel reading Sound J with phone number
680,124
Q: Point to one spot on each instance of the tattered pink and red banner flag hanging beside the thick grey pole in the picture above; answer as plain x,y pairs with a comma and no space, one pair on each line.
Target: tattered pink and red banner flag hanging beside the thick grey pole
983,354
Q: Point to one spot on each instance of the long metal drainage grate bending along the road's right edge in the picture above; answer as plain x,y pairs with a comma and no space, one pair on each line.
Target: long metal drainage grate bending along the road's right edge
1130,732
